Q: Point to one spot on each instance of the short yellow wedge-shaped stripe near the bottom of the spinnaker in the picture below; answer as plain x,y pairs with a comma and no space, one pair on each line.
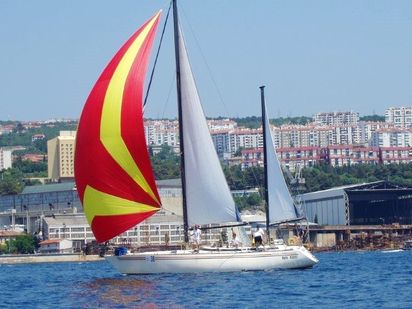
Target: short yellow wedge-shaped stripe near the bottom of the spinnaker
98,203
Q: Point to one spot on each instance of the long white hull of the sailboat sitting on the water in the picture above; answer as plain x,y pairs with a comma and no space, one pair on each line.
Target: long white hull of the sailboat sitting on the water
188,261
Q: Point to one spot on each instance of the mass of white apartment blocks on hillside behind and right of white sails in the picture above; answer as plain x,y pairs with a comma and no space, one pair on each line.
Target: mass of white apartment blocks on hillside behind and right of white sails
336,138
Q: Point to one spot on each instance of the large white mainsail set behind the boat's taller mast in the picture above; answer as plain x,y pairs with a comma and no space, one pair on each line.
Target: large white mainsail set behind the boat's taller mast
208,197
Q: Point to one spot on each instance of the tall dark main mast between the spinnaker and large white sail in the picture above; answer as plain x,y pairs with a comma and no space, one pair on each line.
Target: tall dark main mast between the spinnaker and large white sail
179,106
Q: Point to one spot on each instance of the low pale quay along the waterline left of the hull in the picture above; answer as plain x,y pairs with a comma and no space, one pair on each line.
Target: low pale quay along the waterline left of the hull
48,258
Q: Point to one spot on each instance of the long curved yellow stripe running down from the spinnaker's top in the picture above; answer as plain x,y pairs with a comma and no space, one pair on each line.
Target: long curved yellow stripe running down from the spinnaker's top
110,127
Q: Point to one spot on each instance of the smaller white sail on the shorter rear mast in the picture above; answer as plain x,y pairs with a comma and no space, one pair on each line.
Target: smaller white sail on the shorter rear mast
281,206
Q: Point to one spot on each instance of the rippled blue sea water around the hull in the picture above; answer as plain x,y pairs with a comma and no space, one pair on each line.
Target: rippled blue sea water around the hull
340,280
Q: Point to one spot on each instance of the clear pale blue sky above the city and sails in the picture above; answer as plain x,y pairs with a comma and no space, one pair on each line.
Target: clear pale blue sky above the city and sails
313,56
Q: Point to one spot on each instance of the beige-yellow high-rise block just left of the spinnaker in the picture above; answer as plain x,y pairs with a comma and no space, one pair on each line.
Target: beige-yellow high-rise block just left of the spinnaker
60,152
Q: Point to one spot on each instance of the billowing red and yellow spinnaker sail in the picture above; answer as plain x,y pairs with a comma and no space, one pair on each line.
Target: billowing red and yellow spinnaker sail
114,176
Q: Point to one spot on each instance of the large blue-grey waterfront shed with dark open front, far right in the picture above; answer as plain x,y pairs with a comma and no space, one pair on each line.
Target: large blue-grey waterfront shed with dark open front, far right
375,203
